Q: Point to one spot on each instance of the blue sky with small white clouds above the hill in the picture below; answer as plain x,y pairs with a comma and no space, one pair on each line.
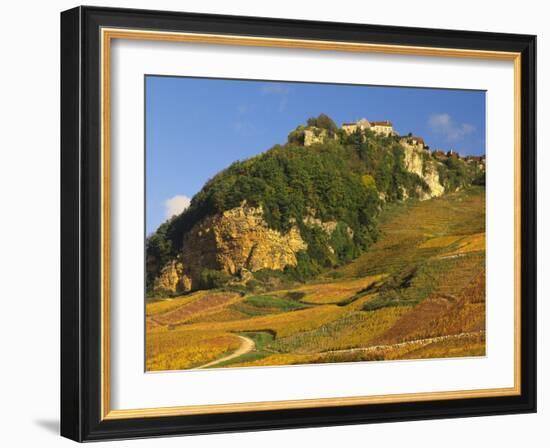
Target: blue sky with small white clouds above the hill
195,127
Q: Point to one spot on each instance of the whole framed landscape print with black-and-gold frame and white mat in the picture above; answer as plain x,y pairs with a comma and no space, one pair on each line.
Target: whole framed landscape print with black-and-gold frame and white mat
273,223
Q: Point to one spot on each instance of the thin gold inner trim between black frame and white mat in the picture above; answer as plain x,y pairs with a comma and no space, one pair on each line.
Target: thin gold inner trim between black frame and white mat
107,35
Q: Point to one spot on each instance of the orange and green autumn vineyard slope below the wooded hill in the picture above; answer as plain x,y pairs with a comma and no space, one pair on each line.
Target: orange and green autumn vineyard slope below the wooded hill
424,278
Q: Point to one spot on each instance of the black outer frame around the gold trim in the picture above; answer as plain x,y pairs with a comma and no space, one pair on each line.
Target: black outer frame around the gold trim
81,224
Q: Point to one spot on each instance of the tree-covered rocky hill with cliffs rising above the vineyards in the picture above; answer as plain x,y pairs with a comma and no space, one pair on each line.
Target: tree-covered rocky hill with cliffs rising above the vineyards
298,209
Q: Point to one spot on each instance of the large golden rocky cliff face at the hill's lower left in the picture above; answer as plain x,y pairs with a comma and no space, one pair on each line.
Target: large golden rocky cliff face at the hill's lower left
234,241
